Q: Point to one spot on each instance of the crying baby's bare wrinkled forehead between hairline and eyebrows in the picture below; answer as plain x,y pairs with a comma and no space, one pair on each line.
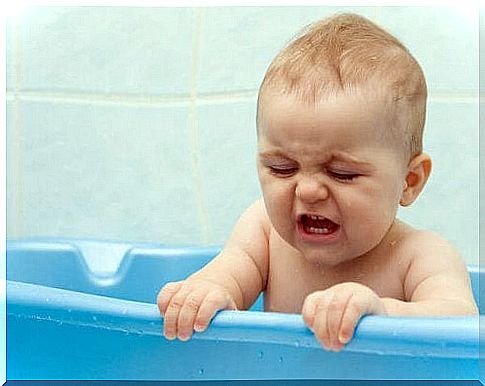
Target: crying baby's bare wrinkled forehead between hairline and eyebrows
363,113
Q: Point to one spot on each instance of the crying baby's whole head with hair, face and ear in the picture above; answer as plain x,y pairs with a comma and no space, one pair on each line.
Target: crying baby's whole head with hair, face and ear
340,120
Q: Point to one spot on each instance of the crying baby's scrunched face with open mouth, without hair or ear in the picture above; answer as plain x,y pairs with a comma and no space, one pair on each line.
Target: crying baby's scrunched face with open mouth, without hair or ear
331,182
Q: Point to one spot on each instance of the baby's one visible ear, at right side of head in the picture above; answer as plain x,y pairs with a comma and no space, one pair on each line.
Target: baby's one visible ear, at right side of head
419,170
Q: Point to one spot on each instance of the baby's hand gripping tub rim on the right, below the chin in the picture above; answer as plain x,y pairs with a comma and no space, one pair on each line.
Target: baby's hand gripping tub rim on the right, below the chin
332,314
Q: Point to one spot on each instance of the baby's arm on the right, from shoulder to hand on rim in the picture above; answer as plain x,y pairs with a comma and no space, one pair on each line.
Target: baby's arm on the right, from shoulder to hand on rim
436,283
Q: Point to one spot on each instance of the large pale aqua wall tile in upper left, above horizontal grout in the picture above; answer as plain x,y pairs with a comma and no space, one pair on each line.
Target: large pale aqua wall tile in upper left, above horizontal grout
107,49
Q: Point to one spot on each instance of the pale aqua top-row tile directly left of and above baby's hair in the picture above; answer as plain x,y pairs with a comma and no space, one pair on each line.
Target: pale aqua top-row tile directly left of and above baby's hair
237,44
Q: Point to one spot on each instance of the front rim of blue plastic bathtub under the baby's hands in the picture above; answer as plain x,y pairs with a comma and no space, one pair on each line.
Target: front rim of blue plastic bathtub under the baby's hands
432,337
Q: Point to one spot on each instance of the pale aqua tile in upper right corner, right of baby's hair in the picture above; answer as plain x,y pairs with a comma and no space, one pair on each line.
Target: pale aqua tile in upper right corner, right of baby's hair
444,40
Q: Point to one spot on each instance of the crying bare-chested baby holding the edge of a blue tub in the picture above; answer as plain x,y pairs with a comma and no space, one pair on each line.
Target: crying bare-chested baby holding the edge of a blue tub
340,120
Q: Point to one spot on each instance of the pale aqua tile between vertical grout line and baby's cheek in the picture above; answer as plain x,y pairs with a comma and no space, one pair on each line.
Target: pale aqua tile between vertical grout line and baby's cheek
227,137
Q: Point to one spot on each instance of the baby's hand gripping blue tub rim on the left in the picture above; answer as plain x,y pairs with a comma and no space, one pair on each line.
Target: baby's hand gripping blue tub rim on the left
190,305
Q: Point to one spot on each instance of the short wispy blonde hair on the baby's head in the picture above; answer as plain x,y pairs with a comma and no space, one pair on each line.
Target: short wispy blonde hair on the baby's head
346,53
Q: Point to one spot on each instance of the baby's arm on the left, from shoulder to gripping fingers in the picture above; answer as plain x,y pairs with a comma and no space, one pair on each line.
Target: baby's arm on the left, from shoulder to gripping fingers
232,280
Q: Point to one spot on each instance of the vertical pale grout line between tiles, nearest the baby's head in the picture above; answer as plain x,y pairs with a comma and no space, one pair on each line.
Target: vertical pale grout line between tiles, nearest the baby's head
201,198
